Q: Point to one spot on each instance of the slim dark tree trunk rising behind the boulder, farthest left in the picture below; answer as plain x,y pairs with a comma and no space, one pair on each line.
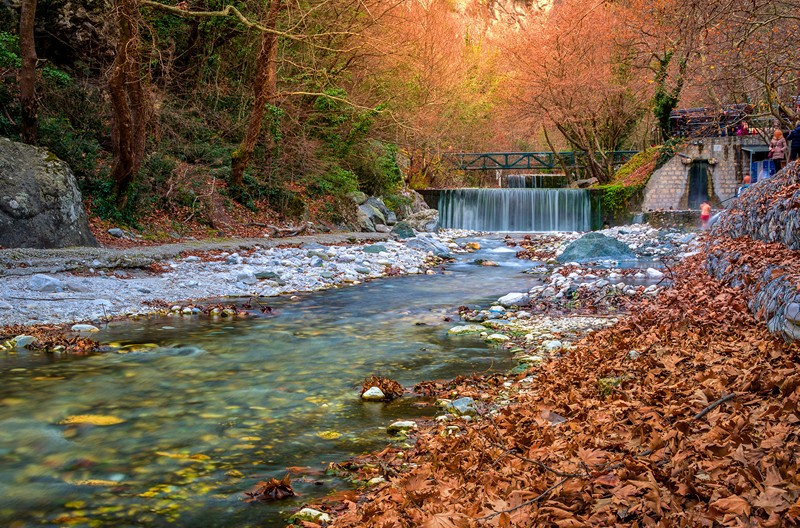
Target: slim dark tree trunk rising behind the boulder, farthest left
27,74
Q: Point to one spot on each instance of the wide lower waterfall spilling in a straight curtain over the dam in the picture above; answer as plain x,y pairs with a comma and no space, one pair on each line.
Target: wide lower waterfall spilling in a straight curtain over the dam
515,209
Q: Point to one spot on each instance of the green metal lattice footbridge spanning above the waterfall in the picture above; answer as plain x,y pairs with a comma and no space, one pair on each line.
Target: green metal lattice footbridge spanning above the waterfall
526,160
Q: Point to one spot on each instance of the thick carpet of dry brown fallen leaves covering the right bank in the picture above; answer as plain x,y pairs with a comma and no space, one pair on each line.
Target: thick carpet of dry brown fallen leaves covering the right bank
684,413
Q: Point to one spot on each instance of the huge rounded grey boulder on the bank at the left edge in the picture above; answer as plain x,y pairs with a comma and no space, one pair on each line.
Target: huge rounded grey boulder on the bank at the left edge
40,204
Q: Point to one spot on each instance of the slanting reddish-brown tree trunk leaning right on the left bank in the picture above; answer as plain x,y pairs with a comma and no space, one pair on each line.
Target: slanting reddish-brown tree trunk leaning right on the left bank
265,88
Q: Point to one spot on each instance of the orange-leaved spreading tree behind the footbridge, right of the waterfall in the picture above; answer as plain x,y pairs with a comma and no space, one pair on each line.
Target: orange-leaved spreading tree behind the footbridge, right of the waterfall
575,76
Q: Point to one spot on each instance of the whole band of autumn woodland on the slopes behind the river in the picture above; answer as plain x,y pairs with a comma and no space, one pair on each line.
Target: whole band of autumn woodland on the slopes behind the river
288,106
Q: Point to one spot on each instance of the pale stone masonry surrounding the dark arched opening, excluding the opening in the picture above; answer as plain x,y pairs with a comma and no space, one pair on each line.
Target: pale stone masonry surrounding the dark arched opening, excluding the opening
668,188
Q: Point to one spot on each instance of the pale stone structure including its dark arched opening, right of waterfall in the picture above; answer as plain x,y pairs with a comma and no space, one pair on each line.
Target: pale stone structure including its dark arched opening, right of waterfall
709,168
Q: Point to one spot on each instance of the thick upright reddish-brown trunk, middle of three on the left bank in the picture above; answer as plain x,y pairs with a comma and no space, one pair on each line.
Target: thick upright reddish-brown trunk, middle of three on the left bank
128,108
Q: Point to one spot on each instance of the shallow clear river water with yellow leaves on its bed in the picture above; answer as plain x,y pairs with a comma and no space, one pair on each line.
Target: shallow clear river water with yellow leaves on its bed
207,408
